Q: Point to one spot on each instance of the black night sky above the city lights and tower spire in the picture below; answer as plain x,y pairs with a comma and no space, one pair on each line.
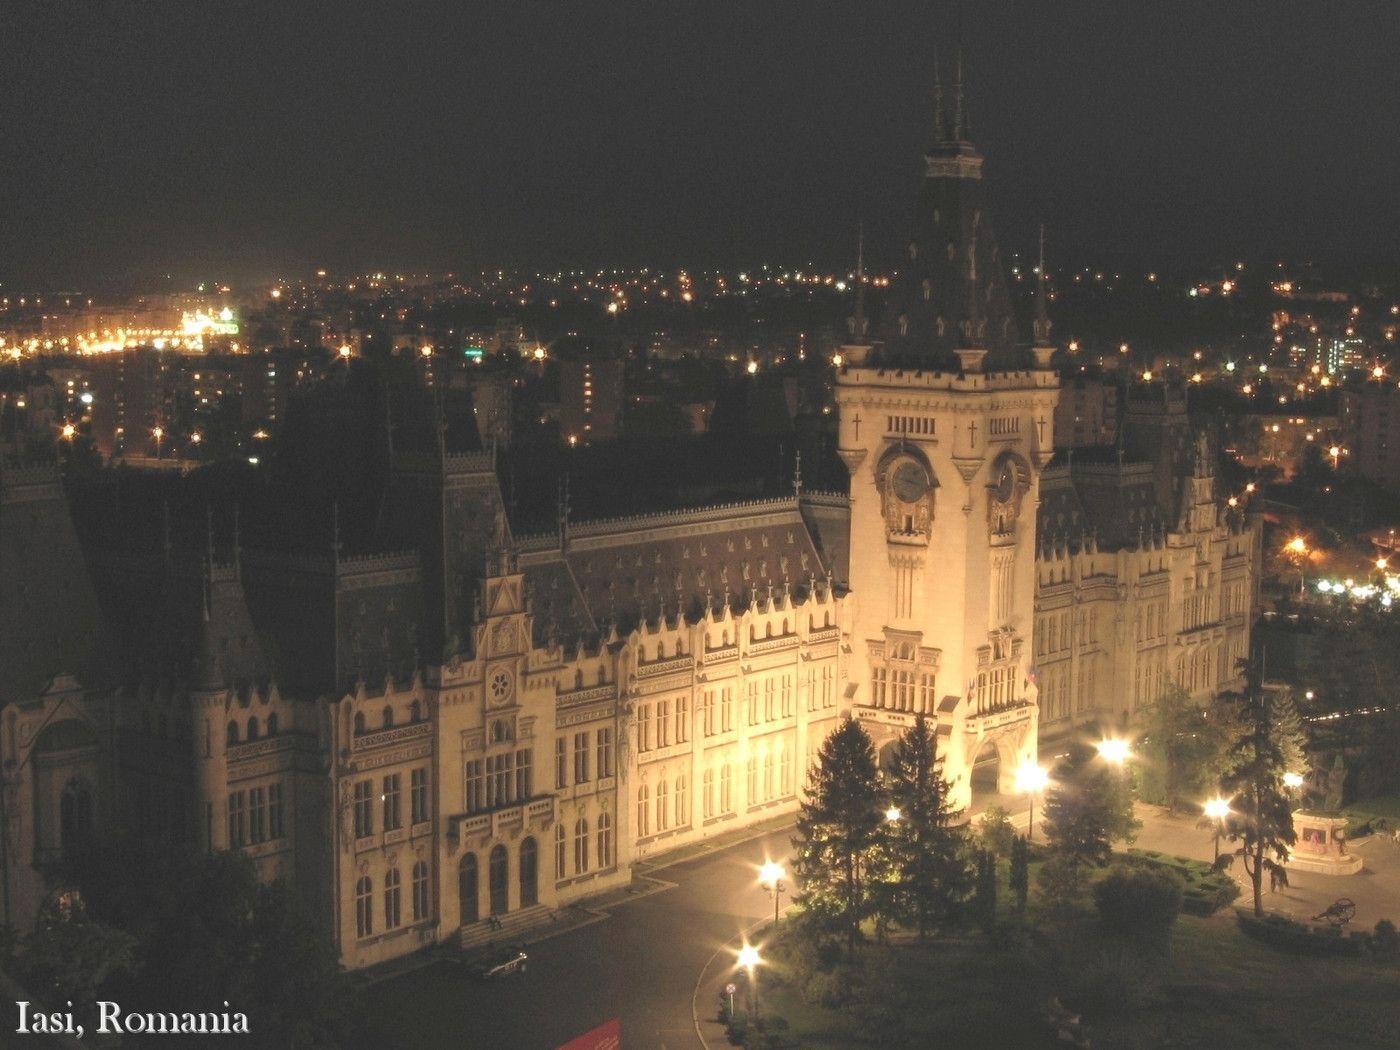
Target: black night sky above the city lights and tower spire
236,141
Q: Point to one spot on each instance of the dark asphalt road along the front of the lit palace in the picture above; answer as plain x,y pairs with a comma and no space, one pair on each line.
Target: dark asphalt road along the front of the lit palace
640,965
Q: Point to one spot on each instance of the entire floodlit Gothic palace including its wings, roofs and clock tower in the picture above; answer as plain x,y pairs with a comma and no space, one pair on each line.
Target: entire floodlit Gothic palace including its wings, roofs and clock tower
443,733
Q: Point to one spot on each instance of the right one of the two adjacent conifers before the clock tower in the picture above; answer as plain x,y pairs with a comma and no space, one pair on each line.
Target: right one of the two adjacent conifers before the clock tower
926,870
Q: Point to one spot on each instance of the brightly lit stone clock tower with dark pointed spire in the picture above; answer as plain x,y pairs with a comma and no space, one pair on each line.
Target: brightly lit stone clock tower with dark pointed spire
946,425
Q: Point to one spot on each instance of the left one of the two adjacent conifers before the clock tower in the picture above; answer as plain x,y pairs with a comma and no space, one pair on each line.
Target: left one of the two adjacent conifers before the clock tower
838,832
